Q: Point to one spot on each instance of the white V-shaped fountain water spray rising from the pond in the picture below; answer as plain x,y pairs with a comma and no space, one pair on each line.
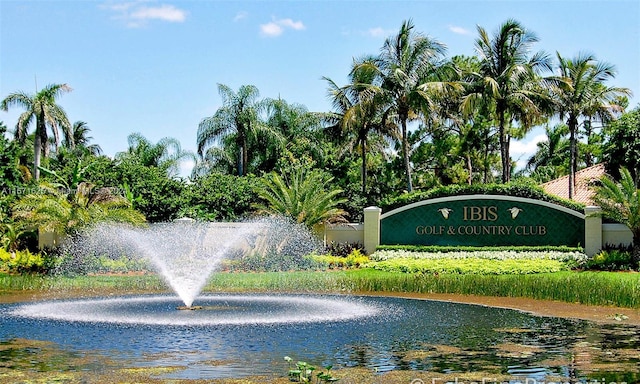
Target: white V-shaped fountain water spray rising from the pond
185,253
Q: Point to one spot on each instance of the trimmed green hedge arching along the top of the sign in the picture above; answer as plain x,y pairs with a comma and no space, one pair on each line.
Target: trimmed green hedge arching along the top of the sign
510,189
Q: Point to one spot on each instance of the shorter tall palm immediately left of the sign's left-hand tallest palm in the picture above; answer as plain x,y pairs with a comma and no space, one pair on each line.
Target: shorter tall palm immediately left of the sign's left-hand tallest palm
357,112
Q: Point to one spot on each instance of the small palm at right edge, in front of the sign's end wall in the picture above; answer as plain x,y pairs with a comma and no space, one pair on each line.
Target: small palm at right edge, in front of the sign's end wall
621,202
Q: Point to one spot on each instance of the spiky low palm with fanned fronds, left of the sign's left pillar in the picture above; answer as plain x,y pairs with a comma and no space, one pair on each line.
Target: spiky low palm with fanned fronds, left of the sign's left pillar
303,195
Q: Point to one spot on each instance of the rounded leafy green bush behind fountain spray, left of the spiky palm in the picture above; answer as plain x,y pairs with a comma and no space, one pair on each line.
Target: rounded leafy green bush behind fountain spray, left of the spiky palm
219,197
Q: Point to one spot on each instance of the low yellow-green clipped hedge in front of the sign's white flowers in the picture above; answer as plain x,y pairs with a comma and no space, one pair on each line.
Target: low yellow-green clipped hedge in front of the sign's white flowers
469,266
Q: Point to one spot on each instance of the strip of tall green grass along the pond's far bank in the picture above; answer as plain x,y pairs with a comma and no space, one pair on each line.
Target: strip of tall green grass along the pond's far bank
591,288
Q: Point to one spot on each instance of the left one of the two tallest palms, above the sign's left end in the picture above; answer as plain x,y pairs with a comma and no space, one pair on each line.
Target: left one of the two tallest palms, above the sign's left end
406,62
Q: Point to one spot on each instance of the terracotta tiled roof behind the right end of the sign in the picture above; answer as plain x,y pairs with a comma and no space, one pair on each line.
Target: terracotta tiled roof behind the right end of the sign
582,193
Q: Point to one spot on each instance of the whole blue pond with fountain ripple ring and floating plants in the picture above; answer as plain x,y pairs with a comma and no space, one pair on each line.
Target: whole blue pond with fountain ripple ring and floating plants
243,335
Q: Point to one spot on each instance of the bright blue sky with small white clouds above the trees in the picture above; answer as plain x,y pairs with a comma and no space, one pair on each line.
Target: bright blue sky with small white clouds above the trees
152,66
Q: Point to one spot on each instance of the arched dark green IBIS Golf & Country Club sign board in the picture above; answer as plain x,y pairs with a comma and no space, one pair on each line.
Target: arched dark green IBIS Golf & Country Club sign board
482,220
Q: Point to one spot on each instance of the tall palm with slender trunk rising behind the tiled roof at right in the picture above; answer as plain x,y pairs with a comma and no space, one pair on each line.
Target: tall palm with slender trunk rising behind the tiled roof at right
581,93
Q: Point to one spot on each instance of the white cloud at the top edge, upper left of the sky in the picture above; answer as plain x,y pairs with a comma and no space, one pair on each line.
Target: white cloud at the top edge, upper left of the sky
138,13
